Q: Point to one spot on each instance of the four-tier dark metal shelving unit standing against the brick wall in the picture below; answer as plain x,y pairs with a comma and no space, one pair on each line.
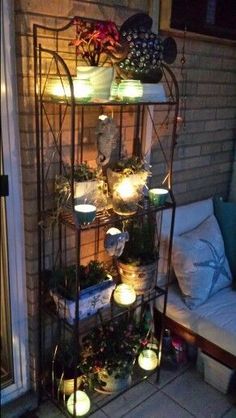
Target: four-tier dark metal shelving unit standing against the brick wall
62,126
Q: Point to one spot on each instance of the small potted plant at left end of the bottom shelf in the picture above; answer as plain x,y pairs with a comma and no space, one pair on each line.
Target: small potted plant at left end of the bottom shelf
64,368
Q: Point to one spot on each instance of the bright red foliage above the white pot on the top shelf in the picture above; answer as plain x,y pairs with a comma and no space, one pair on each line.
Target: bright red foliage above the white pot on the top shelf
96,40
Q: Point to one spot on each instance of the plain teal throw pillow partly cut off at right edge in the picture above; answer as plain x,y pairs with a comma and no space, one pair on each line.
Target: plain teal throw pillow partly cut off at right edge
225,213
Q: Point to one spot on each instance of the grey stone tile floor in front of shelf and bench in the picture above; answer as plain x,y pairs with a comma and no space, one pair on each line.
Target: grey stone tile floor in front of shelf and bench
181,394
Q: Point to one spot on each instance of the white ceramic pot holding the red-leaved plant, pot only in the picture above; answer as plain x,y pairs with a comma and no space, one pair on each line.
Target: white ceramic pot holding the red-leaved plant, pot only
100,78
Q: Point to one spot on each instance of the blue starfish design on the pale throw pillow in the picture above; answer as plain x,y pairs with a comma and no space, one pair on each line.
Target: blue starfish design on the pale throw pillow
217,263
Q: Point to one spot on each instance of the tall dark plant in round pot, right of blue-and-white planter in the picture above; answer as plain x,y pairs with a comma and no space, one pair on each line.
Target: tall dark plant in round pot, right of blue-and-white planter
138,263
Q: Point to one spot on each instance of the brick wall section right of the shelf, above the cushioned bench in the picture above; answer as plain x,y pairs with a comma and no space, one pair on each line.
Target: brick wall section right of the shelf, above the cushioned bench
204,153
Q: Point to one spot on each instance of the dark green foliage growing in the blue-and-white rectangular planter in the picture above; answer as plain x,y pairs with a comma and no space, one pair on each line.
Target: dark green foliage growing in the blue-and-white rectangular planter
64,279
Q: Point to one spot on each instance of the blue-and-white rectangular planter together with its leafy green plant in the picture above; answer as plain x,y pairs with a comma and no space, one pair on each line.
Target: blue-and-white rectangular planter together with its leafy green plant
96,287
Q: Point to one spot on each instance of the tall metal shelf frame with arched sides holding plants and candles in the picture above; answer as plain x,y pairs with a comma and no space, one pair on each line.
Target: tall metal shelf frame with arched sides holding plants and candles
60,129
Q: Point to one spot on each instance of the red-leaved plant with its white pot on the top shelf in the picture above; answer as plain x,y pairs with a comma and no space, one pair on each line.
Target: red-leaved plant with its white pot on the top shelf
96,43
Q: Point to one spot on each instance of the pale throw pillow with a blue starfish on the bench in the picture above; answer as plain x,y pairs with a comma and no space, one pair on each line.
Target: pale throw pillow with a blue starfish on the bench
199,262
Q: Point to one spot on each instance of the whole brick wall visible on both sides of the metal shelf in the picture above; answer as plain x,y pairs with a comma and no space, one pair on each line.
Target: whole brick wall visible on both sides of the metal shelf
203,157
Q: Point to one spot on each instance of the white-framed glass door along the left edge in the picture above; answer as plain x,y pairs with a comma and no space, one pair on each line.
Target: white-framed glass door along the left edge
14,324
